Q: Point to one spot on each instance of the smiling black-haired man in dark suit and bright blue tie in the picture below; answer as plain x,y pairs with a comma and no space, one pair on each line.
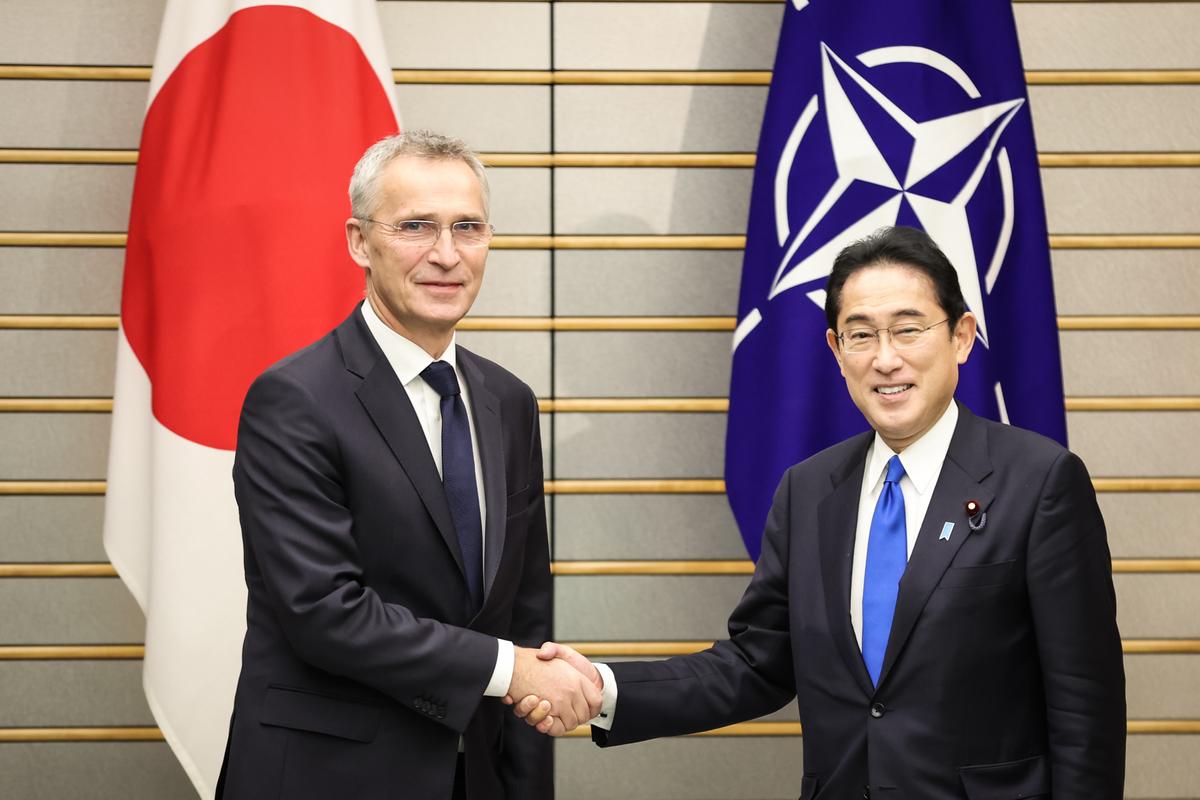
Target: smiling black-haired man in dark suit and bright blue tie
937,593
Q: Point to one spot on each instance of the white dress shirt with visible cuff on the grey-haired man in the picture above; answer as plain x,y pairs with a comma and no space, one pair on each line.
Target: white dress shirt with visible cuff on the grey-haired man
409,360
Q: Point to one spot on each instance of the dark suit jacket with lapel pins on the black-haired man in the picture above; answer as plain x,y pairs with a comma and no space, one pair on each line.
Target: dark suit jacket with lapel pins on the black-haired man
1003,677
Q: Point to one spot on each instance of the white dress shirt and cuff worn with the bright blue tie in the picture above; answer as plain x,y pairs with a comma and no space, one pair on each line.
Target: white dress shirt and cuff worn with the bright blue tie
922,465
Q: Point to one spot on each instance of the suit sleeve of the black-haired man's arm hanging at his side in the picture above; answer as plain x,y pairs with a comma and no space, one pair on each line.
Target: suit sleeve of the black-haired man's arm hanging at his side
1075,617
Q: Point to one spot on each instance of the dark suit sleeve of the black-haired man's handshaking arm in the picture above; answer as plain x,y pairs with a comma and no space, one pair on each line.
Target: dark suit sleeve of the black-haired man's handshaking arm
739,679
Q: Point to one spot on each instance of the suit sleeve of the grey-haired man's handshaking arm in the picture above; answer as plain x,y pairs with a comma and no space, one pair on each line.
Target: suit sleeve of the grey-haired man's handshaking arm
301,550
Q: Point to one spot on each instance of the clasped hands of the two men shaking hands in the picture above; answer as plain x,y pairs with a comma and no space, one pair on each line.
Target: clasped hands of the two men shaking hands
555,689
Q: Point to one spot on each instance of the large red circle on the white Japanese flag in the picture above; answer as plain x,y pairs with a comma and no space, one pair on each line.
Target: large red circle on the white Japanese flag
237,248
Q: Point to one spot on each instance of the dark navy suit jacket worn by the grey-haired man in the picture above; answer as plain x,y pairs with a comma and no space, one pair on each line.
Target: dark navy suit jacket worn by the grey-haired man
363,665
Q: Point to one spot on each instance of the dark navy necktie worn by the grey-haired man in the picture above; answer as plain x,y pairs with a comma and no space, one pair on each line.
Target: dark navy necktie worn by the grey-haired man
459,476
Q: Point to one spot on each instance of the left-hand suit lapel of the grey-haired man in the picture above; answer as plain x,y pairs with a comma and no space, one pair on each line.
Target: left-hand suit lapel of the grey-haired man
387,402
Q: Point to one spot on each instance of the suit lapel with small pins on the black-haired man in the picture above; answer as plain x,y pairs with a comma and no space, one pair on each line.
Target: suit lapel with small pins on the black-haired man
967,465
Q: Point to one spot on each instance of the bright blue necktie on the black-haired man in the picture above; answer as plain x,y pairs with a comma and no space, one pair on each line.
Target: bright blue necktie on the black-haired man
887,554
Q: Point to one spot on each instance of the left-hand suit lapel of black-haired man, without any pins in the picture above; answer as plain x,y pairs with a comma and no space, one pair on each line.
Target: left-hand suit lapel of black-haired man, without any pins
837,518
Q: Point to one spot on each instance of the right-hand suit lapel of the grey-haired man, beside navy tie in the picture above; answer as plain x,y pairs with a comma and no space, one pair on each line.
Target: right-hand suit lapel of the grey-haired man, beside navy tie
485,410
